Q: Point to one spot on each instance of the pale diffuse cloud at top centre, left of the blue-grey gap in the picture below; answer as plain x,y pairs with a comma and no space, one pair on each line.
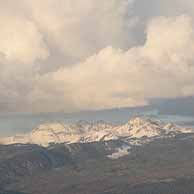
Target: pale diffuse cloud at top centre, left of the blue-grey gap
81,28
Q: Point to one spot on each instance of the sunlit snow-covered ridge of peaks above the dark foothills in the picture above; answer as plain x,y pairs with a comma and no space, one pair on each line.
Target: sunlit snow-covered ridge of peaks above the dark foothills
83,132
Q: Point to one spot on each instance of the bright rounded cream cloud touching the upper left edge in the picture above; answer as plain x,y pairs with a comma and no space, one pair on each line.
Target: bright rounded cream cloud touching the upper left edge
20,39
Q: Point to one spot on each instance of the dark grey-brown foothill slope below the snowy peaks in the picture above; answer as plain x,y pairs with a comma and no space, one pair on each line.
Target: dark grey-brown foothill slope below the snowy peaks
162,166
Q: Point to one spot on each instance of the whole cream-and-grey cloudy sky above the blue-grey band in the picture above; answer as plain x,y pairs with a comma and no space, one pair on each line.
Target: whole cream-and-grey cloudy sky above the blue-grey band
72,55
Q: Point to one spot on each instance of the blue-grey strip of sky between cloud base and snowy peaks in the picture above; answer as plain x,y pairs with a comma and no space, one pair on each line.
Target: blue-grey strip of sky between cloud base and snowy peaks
179,111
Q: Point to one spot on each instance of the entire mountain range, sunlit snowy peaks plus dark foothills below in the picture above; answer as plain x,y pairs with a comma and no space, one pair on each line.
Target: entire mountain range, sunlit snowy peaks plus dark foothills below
139,157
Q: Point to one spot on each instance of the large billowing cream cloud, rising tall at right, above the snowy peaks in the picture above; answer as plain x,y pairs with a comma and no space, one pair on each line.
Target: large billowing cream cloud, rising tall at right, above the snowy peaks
162,67
